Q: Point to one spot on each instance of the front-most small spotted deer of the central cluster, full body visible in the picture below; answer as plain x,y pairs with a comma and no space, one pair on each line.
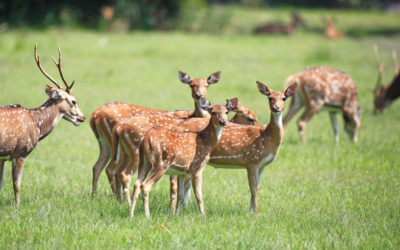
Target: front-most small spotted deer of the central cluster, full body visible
179,153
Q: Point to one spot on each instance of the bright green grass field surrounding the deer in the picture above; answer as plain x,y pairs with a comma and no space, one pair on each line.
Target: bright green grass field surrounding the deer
314,195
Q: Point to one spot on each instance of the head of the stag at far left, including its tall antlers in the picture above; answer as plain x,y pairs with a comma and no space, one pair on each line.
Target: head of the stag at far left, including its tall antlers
63,98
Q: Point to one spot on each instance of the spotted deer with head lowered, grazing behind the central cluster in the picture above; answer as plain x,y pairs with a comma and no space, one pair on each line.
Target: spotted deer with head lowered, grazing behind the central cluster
320,87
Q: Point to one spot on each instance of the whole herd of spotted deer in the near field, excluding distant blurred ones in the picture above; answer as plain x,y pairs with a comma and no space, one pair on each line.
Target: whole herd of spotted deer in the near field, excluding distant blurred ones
134,139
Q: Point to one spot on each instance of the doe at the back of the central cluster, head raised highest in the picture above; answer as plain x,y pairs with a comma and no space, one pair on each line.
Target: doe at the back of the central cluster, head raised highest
104,118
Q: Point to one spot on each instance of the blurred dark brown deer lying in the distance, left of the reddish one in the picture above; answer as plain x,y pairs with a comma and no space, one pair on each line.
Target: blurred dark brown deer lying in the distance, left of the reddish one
287,29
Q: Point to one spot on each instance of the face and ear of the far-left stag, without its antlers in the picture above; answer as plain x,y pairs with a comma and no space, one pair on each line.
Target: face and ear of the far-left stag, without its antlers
67,105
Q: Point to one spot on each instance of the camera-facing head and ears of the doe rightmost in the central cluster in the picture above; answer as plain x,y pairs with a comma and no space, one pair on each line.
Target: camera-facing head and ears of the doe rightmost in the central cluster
277,99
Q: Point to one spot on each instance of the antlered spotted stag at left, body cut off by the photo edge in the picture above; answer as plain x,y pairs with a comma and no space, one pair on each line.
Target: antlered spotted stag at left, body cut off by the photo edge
22,128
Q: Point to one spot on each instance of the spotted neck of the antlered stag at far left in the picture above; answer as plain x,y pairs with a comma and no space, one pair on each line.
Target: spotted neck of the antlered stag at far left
46,117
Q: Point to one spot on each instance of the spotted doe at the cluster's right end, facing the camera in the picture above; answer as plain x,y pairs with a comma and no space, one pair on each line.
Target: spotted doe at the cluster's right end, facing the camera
251,147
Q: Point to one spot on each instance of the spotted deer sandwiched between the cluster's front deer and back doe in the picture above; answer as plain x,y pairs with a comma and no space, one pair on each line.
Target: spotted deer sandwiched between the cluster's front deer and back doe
128,134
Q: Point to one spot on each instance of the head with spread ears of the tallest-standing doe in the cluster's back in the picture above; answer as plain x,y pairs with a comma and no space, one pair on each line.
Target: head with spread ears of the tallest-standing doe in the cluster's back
199,86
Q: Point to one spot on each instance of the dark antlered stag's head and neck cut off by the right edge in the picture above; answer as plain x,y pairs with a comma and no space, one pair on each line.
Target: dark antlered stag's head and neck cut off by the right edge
385,95
